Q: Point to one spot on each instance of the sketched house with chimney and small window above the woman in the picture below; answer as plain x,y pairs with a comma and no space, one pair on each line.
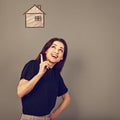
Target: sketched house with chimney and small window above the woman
34,17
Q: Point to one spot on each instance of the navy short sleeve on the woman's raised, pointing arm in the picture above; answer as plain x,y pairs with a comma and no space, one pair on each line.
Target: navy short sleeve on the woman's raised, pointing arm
28,70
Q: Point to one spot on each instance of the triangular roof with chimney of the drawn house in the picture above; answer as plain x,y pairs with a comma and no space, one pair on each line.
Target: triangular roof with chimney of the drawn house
34,9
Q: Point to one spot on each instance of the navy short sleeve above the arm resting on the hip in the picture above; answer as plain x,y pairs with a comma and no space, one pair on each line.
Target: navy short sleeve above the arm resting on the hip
62,87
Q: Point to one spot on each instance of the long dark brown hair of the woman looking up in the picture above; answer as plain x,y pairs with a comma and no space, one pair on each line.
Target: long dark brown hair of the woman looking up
60,64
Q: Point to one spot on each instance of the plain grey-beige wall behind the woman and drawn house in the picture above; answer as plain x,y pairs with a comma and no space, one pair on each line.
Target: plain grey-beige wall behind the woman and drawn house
92,71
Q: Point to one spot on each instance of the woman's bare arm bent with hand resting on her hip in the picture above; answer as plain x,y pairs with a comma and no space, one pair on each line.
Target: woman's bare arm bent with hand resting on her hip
65,102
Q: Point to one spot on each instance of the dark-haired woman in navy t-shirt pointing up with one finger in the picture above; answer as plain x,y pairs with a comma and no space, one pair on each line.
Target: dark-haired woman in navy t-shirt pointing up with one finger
41,83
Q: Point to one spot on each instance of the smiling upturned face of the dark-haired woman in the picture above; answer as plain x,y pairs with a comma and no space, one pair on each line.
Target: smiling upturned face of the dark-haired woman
55,53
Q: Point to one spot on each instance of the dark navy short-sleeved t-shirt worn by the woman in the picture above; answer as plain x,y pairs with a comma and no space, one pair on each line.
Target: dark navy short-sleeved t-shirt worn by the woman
41,100
